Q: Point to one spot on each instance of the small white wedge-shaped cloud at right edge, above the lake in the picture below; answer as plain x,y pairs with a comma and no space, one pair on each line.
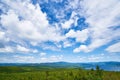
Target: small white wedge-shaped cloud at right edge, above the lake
114,48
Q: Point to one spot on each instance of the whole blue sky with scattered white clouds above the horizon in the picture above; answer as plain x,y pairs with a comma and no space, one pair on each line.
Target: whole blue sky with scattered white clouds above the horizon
38,31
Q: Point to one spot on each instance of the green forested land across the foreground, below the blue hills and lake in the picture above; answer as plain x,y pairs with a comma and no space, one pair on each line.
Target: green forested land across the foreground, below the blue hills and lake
46,73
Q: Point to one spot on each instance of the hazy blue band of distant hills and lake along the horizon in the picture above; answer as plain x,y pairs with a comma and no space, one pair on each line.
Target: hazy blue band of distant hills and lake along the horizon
109,66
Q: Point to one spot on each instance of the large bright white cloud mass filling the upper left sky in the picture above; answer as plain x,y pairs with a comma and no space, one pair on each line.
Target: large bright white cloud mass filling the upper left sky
25,21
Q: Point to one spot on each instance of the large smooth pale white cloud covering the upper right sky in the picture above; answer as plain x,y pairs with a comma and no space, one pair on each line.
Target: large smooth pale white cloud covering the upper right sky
103,17
